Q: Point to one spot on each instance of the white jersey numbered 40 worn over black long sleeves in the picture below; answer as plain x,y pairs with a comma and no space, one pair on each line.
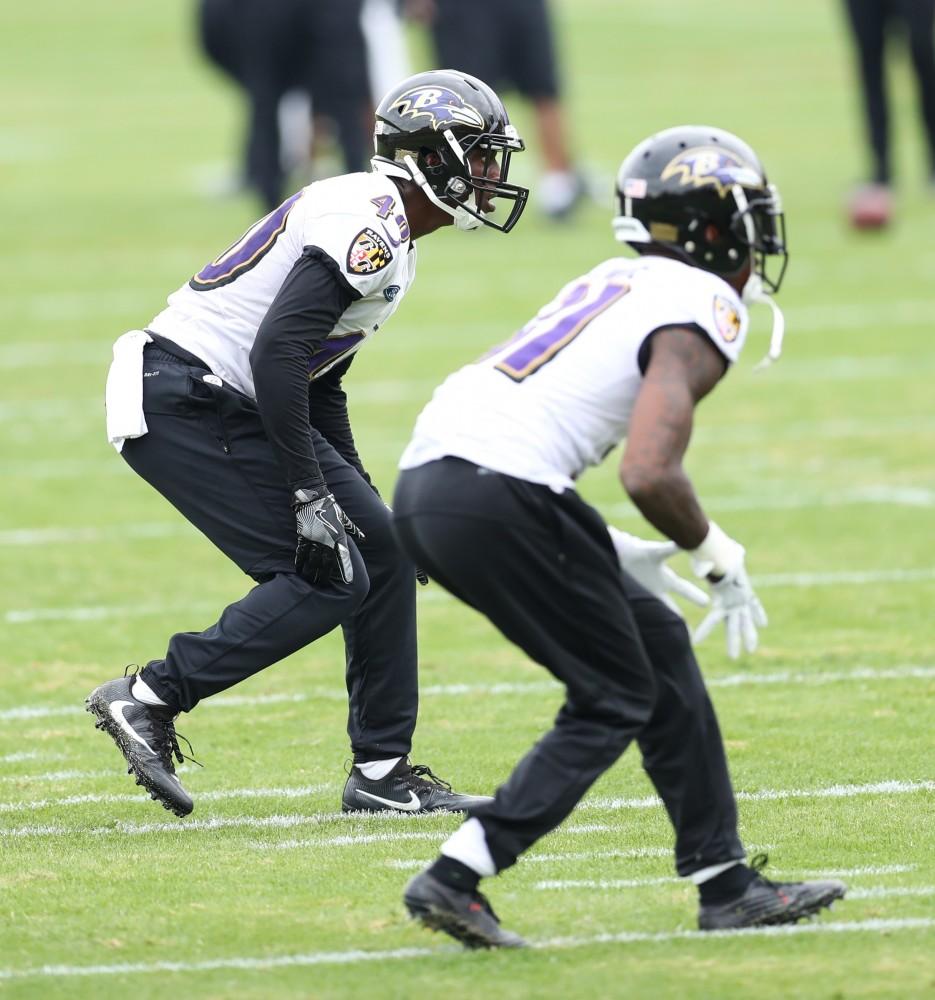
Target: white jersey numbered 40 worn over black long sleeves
358,220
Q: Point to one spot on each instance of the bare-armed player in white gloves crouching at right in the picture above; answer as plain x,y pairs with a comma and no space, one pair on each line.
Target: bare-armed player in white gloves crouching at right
486,502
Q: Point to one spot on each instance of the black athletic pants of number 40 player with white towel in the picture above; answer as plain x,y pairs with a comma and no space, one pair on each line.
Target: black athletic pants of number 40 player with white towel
207,454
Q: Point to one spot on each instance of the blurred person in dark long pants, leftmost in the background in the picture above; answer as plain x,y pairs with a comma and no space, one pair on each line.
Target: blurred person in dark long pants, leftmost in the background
289,56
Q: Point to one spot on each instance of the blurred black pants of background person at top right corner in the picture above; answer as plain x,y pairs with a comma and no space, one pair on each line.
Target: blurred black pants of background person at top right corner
869,22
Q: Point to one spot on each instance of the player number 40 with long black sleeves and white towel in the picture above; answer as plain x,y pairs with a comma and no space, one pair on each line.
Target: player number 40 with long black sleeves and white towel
230,403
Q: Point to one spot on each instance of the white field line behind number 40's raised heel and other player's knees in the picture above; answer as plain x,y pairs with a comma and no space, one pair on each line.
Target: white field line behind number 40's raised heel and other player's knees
739,679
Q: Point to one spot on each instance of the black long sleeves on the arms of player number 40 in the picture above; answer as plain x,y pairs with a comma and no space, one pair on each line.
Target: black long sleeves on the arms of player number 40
303,313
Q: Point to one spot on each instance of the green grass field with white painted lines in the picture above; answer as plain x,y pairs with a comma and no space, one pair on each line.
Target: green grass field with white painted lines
823,466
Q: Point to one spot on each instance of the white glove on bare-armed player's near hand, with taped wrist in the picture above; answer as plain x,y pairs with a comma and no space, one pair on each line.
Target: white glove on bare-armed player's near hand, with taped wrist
733,599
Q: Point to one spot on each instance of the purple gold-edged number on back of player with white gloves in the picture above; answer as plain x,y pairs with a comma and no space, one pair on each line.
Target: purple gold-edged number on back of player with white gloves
556,326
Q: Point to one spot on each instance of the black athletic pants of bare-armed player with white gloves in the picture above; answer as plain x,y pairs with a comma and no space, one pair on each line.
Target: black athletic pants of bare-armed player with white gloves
542,568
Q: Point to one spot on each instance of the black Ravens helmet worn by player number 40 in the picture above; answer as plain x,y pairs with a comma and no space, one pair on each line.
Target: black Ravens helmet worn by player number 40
425,129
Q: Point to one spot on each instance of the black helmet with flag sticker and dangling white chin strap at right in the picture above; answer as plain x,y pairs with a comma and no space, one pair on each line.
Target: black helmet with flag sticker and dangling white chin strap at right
702,194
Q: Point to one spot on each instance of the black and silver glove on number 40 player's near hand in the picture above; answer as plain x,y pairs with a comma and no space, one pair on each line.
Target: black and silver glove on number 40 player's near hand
322,529
